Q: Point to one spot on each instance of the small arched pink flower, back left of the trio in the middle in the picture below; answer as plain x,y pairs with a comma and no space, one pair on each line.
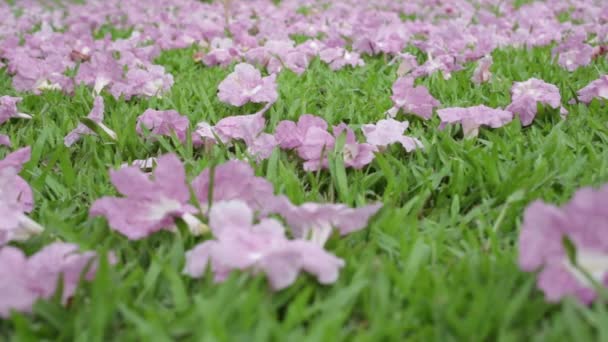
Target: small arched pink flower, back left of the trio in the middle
291,135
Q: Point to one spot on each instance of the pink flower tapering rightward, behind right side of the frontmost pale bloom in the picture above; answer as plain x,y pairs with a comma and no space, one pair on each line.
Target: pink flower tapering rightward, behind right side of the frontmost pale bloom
315,222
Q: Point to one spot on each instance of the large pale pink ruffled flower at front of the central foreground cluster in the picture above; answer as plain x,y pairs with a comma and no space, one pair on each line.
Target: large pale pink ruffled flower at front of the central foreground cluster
241,244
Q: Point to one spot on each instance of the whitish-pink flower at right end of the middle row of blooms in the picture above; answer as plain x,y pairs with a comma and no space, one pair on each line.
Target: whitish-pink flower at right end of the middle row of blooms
387,132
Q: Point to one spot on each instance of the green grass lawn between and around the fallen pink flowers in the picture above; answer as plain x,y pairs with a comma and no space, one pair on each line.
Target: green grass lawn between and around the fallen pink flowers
437,263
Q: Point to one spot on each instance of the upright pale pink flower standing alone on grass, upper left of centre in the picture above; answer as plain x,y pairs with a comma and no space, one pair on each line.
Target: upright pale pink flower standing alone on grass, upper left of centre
246,84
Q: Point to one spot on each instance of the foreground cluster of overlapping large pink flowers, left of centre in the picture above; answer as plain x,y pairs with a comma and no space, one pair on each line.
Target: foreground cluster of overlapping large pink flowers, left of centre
232,197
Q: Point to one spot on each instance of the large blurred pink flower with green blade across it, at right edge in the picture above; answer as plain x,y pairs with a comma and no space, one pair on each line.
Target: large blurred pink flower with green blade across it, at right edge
568,245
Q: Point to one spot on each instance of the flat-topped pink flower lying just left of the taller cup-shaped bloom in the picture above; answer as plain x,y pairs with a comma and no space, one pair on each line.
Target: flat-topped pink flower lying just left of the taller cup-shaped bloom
471,118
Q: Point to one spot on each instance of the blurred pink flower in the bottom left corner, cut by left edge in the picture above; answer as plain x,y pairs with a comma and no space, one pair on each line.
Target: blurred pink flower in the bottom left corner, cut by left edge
24,280
